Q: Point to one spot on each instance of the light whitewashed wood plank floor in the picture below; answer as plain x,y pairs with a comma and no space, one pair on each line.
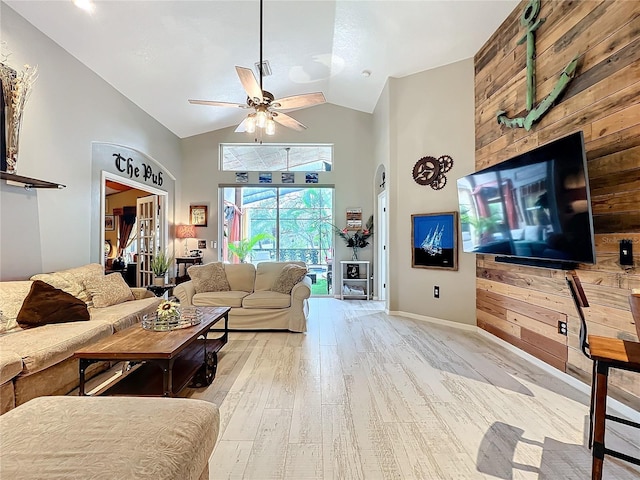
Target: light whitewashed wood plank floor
364,395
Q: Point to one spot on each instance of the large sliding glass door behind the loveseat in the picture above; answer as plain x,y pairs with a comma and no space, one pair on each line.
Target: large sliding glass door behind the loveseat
280,224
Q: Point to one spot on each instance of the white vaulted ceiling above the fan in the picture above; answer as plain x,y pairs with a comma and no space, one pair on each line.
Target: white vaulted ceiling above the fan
159,54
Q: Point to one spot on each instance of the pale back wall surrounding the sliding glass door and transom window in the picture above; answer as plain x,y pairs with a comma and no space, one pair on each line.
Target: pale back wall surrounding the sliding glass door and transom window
353,169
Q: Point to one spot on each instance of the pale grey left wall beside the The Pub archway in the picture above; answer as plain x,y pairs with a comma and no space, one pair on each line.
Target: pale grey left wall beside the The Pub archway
70,107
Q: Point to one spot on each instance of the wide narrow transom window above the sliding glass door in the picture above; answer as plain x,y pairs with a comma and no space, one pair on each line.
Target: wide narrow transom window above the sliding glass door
272,157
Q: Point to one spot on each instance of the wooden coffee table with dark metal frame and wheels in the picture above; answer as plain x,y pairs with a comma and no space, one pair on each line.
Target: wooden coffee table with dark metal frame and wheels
163,362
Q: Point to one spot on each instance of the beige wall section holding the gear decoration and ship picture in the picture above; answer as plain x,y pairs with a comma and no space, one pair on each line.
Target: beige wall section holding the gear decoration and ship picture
431,113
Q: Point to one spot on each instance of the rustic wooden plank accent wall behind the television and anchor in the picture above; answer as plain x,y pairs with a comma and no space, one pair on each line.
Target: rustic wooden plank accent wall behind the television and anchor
521,304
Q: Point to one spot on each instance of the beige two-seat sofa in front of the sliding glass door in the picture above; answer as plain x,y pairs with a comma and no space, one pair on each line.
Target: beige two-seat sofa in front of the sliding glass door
254,306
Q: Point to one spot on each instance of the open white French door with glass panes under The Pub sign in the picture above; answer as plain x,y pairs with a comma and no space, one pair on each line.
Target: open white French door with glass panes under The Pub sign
152,235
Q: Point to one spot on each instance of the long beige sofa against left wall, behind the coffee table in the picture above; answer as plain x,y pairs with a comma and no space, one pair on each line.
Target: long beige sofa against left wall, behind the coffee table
37,361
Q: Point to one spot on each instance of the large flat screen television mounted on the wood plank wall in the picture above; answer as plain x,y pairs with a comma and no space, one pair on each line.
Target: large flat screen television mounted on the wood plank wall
535,206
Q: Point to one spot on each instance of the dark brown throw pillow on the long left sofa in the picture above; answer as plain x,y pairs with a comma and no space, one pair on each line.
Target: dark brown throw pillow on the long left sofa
46,304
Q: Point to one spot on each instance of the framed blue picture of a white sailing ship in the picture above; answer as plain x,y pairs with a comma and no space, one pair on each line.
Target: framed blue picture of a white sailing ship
434,240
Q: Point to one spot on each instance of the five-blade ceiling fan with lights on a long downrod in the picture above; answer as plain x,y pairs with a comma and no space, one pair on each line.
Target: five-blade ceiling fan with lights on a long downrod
266,109
